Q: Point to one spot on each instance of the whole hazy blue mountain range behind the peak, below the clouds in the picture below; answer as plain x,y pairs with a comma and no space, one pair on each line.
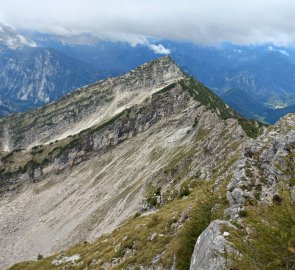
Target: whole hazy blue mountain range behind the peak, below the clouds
258,81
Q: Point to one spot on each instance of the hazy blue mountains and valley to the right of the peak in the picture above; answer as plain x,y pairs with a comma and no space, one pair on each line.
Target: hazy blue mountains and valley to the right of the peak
258,81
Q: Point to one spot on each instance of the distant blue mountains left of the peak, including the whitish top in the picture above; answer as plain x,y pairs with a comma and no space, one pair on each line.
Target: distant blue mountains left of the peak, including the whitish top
31,75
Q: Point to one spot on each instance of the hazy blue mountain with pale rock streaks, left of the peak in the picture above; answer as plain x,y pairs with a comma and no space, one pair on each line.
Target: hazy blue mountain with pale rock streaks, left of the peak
38,75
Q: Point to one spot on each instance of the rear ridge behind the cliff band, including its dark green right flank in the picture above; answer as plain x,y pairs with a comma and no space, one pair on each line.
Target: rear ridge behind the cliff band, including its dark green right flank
114,103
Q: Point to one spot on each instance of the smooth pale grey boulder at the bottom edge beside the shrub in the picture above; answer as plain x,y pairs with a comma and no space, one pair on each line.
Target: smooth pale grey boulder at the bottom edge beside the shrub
211,248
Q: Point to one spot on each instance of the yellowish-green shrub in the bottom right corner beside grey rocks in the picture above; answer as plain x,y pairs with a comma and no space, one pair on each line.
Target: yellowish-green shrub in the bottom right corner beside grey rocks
267,237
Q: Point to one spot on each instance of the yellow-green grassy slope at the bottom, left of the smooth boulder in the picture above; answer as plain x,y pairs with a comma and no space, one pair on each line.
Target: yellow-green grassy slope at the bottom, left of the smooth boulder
177,224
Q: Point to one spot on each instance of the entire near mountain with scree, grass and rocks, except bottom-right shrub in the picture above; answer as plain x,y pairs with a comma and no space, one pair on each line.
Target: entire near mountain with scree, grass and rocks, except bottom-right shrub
149,170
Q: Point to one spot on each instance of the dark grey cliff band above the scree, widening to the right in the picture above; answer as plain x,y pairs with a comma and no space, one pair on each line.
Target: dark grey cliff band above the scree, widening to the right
208,136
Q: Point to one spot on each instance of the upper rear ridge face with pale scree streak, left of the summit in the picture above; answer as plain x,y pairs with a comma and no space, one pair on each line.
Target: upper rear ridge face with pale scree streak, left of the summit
98,105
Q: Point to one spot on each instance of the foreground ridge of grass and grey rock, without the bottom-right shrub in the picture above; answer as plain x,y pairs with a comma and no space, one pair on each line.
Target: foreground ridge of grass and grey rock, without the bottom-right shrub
147,230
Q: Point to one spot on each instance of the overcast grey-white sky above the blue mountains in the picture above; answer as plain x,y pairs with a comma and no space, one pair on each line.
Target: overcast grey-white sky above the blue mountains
207,21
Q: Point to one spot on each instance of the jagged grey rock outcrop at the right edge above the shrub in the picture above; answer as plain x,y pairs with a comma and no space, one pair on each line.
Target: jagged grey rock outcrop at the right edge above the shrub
264,167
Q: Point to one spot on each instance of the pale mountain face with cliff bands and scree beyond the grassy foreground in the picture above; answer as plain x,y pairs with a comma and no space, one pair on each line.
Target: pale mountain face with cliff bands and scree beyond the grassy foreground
153,130
